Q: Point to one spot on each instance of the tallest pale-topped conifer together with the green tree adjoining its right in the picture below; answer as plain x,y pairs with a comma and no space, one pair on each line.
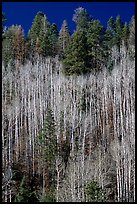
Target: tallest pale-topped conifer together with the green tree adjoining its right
85,52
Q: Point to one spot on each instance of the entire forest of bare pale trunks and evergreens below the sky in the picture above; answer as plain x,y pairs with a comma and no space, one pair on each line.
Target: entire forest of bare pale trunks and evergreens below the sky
68,111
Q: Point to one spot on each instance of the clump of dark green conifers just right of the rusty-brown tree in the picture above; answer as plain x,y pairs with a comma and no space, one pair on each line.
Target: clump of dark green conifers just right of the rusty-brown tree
42,37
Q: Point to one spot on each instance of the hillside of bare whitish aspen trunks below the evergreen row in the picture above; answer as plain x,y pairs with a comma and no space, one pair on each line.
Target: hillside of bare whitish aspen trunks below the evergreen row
62,133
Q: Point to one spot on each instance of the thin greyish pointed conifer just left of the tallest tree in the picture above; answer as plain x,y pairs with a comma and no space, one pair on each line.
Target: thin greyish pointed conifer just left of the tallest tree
64,38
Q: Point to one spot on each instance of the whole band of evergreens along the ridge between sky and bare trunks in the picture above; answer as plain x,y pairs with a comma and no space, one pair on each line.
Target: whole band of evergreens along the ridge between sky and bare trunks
88,49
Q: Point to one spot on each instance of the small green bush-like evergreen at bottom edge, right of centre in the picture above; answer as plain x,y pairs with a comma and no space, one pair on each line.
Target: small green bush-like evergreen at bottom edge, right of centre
94,192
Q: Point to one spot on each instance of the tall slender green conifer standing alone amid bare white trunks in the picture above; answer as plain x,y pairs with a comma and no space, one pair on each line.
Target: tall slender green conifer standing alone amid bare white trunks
48,144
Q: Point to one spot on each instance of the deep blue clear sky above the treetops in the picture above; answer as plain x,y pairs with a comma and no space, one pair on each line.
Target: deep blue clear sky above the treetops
23,13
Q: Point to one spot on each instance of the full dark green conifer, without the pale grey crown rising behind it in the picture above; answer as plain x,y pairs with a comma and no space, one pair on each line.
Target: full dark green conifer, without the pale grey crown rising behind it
76,55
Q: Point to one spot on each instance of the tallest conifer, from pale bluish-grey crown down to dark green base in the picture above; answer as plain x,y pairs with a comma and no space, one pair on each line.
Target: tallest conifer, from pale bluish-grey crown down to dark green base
76,56
